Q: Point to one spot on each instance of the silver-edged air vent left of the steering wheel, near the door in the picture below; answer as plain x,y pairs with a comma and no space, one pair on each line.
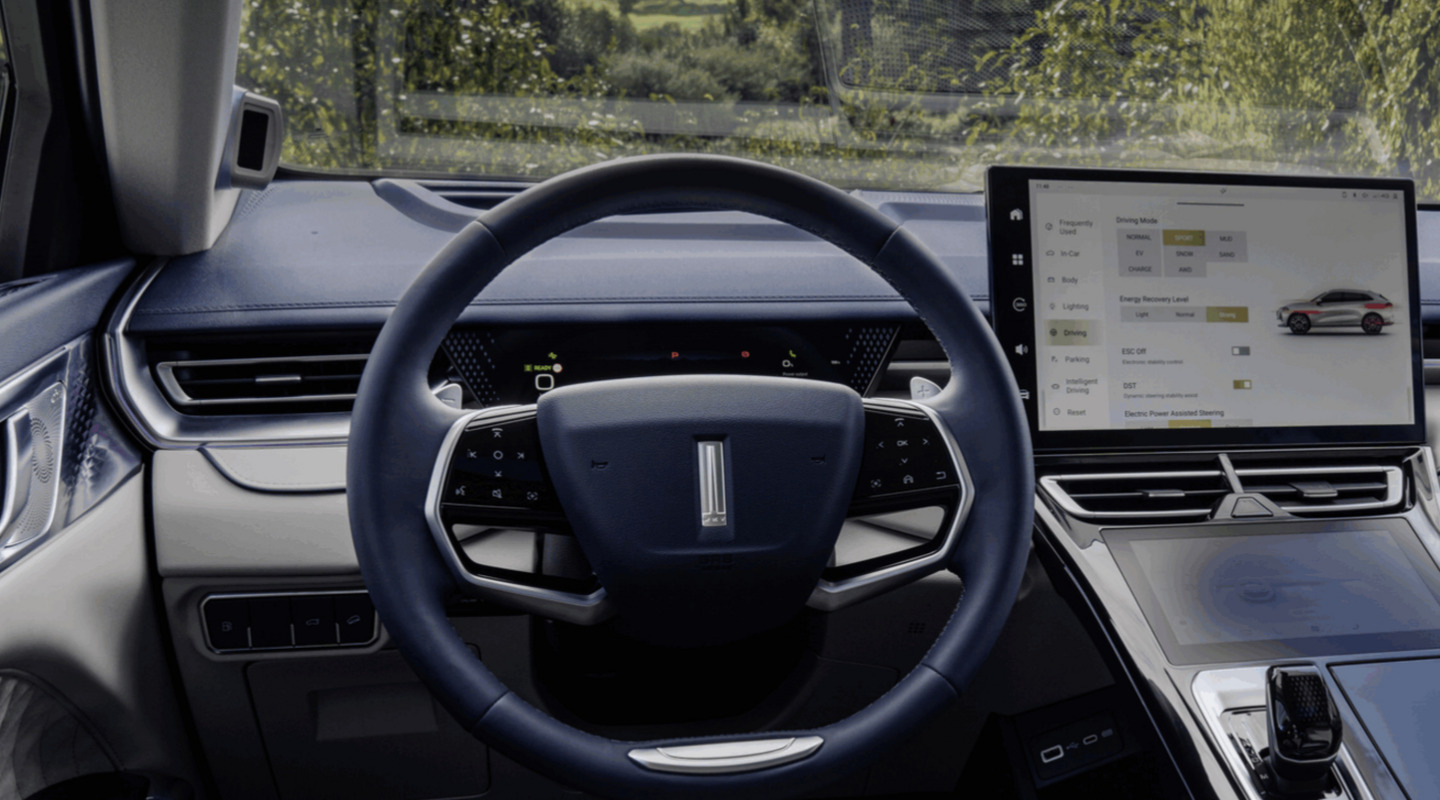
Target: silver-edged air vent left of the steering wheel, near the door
263,385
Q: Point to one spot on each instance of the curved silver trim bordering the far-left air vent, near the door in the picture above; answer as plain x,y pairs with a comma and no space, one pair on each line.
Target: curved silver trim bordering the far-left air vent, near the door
153,419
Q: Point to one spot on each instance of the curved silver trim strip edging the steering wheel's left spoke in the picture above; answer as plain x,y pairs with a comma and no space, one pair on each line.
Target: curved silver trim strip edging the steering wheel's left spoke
565,606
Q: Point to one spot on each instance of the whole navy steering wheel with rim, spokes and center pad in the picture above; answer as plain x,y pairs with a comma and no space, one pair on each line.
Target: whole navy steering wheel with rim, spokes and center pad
706,507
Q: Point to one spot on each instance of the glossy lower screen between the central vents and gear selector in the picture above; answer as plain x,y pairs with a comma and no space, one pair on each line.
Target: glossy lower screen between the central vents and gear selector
1282,591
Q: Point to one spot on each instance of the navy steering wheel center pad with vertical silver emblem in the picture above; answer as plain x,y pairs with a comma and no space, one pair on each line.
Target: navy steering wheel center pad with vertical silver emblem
783,455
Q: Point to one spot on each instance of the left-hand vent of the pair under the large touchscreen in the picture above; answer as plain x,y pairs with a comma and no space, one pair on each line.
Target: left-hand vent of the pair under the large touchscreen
1134,497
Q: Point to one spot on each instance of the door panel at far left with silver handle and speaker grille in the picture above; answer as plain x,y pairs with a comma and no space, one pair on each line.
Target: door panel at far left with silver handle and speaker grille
81,638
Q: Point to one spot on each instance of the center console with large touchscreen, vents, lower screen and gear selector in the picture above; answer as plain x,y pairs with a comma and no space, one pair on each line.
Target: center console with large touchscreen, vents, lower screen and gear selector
1225,383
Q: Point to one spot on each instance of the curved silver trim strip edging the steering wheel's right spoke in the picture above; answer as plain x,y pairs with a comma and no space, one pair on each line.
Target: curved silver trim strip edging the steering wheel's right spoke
830,596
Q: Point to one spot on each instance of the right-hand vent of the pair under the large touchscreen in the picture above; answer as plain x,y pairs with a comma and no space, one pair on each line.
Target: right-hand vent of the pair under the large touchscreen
1327,490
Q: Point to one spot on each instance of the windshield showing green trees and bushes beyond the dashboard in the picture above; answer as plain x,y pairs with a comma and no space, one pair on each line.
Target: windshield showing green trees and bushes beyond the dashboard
888,94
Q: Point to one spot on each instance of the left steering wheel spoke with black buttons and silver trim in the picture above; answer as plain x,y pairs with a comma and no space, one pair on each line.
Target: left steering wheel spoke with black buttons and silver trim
498,522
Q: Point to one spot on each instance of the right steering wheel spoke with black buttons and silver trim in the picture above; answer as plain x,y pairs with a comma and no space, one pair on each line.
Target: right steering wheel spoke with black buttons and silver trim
909,507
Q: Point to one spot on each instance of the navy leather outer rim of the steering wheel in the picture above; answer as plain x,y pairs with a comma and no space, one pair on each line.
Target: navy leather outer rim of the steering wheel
398,428
